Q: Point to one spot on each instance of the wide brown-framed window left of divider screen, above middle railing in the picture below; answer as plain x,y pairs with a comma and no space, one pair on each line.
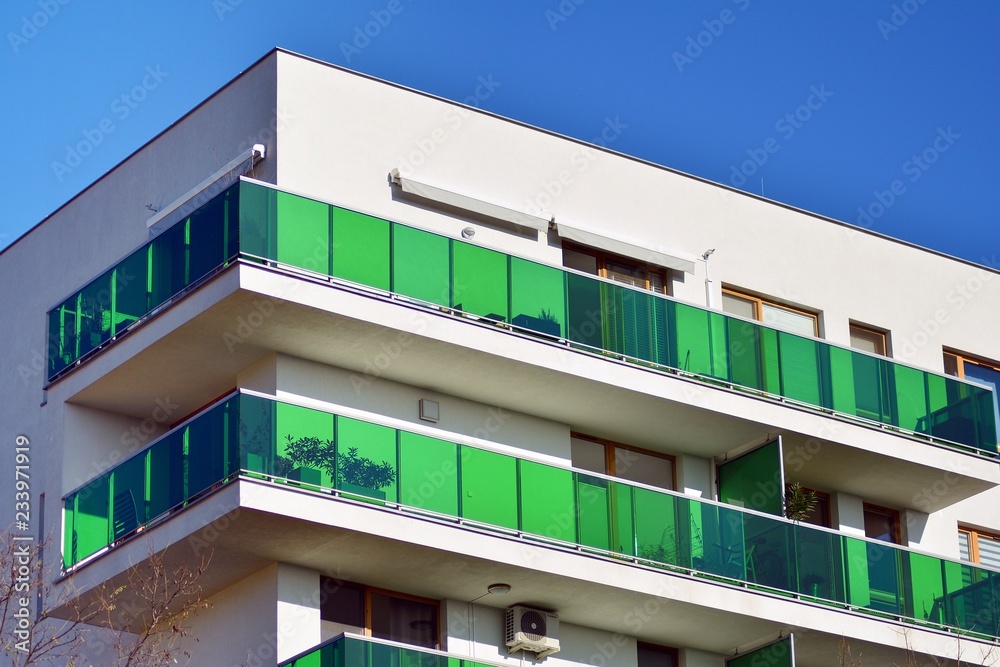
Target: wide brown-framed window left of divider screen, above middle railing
623,461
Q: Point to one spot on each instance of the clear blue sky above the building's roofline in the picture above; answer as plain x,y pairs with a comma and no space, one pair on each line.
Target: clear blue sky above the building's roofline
888,107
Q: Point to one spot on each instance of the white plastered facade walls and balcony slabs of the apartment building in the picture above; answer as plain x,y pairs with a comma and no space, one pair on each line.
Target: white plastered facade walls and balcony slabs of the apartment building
335,136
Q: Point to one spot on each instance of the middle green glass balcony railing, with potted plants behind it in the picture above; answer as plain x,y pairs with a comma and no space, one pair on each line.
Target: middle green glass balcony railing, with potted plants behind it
287,444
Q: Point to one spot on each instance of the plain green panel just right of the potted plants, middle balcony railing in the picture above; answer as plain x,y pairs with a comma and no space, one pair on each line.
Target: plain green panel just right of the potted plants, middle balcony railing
428,473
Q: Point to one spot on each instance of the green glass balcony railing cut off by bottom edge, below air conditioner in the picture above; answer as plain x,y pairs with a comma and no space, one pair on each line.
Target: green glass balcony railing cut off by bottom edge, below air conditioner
356,651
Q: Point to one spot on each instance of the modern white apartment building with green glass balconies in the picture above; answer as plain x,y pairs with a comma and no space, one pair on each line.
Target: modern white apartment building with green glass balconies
401,365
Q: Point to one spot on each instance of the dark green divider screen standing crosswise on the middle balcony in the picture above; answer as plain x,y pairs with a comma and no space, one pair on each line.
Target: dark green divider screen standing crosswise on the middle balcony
754,480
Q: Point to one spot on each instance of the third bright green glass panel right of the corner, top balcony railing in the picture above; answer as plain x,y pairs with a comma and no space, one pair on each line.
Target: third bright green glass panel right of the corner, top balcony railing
421,265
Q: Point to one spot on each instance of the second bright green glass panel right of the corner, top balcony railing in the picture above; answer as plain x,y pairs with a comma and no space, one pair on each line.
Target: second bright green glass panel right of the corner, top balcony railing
361,248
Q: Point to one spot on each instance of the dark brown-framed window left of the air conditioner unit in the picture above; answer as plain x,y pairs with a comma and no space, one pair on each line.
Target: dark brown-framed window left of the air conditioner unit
377,613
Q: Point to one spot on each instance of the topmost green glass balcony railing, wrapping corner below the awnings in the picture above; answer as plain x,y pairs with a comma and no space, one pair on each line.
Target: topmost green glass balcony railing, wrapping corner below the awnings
582,311
